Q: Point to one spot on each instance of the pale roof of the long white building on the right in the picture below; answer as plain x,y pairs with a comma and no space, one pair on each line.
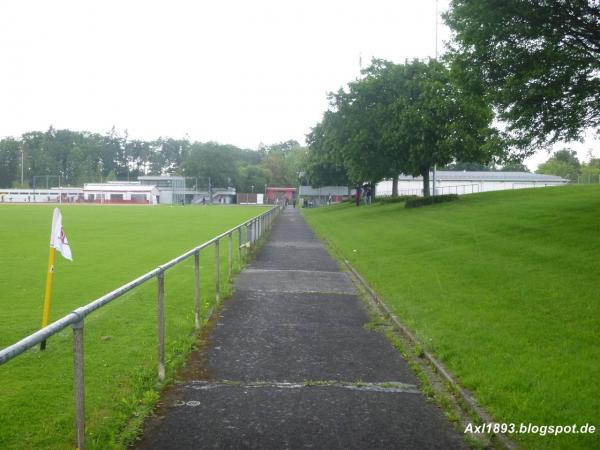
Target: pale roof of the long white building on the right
516,177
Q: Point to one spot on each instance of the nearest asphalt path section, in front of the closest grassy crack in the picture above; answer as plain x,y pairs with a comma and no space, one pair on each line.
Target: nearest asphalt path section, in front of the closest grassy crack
331,418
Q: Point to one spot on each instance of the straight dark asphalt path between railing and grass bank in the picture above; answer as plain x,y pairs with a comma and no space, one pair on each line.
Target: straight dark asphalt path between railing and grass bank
290,365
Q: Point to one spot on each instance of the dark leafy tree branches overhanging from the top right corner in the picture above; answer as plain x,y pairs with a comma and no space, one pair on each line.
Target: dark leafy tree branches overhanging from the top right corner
538,61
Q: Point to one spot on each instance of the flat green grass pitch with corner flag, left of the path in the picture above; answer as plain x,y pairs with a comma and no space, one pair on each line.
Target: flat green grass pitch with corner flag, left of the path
111,245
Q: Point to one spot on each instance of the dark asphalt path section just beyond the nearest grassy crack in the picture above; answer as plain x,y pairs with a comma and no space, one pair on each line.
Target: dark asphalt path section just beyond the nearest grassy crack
297,337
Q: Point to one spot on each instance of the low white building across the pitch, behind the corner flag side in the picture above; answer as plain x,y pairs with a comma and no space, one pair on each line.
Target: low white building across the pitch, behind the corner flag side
120,192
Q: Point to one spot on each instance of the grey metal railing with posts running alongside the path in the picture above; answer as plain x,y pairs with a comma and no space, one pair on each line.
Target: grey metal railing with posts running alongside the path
255,228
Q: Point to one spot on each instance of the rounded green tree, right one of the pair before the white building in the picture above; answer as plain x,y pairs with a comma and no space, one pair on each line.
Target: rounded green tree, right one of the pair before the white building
439,122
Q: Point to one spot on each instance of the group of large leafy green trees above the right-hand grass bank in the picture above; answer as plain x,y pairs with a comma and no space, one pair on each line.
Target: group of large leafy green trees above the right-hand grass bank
533,66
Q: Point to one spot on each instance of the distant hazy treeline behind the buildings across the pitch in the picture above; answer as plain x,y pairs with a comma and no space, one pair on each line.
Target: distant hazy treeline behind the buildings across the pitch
73,158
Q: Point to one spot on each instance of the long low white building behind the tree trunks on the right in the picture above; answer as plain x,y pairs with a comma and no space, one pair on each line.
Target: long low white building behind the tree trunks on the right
463,182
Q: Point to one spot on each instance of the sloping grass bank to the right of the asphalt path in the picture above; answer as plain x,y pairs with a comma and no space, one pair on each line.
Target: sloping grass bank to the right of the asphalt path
502,287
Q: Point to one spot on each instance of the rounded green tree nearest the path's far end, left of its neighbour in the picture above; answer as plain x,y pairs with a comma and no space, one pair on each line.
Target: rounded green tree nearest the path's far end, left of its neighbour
359,132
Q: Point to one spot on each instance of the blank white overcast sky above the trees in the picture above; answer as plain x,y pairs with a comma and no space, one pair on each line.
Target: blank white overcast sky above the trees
238,72
